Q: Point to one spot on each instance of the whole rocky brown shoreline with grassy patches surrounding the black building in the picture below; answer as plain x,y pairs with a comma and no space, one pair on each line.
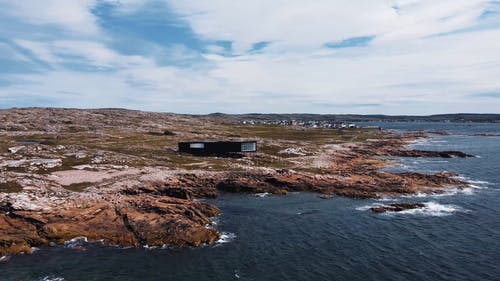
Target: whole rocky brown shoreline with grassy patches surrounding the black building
103,175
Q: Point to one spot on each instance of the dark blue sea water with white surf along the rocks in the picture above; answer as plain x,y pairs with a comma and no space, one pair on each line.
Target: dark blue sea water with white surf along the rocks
302,237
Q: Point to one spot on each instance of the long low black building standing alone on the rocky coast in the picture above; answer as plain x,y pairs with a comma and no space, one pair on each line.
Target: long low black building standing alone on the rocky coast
217,147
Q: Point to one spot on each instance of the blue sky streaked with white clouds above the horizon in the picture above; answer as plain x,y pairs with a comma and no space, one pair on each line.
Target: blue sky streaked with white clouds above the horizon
233,56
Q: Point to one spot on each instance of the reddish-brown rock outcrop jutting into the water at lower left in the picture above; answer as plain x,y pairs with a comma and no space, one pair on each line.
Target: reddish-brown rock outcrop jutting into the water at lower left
129,221
